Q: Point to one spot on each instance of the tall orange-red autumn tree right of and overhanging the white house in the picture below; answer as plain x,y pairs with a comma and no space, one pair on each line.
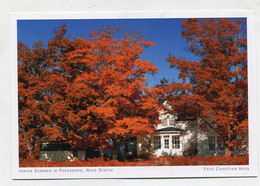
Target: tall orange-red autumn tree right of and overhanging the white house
214,88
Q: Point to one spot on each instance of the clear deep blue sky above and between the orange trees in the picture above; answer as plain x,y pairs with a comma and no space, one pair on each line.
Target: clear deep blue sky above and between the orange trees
164,32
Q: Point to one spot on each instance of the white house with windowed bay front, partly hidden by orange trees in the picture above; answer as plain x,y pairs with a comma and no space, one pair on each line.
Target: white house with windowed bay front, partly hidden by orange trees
174,137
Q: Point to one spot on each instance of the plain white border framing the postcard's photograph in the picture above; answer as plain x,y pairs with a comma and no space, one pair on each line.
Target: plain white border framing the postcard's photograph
138,172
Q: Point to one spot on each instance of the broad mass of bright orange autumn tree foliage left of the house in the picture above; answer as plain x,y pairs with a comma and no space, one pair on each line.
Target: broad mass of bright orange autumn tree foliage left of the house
85,91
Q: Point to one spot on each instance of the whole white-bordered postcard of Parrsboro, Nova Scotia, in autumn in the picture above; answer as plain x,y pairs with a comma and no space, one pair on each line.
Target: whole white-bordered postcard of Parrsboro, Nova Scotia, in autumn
133,95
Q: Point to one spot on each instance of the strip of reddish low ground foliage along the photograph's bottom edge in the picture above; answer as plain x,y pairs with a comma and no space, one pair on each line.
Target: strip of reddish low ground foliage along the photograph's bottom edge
159,161
